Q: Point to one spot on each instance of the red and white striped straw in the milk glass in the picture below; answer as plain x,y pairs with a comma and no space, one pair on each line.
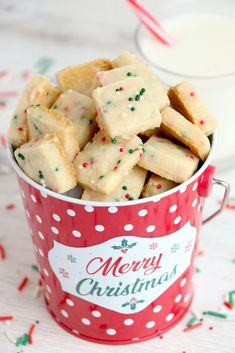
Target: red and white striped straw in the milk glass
152,25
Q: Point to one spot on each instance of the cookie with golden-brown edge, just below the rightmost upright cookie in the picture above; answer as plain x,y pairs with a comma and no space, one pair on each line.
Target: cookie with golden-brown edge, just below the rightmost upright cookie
175,124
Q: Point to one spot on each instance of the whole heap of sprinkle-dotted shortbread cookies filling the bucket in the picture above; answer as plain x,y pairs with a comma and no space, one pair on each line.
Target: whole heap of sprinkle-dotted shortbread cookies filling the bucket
112,128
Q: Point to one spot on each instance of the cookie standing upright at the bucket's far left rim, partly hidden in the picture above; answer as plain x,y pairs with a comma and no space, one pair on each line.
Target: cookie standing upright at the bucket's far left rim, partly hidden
38,90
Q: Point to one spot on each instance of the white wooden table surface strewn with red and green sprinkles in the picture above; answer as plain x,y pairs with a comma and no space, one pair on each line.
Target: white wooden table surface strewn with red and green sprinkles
30,30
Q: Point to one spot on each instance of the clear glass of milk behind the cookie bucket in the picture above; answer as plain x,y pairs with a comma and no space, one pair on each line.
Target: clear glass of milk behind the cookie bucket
203,53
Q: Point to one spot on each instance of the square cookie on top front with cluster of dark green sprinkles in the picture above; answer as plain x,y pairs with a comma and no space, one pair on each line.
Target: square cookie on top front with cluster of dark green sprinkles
125,108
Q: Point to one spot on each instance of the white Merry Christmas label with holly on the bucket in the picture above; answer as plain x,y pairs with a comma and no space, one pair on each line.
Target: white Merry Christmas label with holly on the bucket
124,274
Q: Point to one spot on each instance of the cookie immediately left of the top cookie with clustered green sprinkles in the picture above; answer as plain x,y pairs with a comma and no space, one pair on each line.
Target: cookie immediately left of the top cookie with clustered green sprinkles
80,109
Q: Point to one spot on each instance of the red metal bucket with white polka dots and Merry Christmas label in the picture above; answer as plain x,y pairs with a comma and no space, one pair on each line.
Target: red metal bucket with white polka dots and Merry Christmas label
117,273
